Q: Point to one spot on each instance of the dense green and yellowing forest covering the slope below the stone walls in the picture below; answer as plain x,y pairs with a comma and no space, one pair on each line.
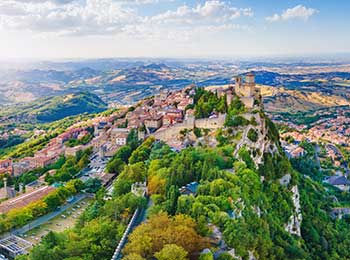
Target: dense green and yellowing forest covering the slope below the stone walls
250,214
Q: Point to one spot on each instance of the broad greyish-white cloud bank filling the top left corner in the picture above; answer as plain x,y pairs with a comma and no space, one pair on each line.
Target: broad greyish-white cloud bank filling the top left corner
94,17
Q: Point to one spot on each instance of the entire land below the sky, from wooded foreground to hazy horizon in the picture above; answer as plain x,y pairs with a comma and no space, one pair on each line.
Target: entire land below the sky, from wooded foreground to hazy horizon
240,139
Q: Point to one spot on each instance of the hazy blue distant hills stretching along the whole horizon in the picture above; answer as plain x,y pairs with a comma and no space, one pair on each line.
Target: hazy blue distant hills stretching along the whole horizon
126,82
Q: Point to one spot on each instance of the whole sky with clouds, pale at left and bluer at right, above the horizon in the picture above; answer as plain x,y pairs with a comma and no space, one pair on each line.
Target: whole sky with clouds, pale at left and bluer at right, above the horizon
172,28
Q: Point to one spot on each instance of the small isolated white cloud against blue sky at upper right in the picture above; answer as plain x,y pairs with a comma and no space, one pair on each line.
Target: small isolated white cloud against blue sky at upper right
297,12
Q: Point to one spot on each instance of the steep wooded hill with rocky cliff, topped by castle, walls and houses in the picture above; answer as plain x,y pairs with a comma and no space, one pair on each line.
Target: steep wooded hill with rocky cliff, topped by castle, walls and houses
219,187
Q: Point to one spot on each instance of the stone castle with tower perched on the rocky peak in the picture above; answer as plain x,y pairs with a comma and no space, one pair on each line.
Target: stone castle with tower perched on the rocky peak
247,90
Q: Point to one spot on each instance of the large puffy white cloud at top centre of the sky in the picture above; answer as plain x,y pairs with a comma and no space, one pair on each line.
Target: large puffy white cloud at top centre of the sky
186,23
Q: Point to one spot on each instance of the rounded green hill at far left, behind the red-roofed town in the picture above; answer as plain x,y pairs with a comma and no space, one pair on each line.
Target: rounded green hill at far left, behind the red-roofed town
54,108
